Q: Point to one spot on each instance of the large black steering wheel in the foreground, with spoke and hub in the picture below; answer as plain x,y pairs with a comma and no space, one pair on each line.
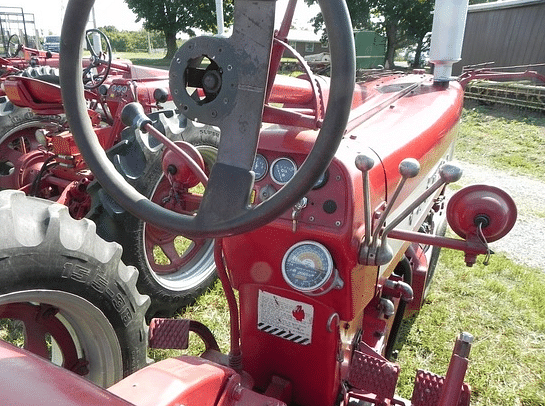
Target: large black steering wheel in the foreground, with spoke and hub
234,88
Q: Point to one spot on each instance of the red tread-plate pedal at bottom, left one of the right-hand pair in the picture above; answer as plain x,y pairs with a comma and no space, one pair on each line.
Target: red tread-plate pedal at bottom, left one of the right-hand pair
373,375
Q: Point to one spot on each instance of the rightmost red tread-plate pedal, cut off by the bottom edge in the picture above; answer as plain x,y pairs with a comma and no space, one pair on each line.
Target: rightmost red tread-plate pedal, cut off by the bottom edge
428,387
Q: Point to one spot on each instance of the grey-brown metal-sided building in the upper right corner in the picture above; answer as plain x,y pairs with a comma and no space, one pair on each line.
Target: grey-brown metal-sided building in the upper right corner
507,33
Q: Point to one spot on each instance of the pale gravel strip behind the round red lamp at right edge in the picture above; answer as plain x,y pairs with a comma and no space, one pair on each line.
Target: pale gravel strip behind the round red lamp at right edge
525,242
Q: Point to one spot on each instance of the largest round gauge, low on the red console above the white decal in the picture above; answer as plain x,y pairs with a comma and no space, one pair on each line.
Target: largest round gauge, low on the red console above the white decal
307,267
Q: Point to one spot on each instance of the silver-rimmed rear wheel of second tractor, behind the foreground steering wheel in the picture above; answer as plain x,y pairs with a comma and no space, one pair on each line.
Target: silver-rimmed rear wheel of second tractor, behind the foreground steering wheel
171,285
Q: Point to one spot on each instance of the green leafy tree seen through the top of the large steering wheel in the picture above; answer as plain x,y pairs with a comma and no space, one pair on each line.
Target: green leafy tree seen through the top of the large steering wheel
174,16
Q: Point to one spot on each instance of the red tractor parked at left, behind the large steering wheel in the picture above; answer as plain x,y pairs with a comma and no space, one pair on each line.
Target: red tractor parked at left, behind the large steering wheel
38,155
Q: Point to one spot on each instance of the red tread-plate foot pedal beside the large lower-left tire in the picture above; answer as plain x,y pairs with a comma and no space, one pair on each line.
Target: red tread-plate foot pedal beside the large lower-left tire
169,333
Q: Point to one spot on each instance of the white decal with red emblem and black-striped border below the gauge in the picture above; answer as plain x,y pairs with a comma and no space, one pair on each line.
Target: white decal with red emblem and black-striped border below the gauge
285,318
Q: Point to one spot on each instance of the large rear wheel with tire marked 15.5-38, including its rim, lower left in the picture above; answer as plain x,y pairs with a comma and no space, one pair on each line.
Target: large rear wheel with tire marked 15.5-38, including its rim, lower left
65,294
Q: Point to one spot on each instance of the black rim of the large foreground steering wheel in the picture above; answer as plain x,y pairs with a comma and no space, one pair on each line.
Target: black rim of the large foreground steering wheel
341,41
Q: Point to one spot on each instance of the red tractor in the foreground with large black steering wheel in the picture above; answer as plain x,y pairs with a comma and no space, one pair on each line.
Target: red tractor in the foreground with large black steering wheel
326,203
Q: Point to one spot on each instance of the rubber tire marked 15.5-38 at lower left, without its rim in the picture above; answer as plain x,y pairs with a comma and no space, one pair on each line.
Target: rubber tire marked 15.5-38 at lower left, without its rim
49,264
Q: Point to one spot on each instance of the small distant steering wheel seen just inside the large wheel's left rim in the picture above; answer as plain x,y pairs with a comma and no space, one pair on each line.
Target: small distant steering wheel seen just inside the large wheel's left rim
100,62
